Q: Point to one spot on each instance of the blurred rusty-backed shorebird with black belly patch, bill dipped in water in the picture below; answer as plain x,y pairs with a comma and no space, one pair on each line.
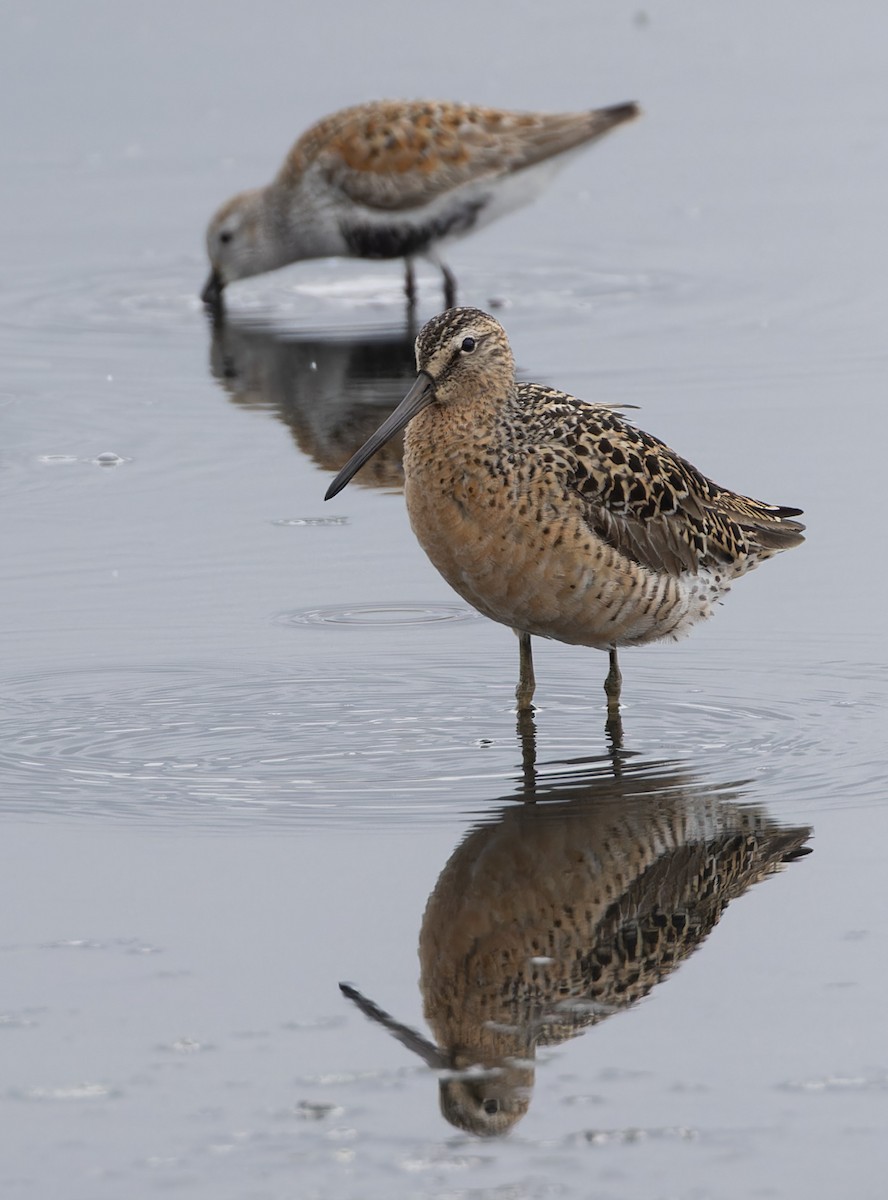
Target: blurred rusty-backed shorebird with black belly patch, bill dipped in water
394,179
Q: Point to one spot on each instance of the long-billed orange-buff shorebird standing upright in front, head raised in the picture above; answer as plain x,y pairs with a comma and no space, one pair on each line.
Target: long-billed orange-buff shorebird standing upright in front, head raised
557,517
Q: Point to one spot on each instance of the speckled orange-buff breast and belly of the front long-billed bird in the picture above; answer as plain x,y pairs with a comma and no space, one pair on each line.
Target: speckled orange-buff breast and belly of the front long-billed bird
523,554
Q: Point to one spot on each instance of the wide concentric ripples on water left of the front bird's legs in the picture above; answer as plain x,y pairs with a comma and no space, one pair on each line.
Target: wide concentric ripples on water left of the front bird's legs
220,746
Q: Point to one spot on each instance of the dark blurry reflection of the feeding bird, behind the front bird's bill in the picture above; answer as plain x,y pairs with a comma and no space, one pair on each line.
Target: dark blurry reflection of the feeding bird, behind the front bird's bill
332,392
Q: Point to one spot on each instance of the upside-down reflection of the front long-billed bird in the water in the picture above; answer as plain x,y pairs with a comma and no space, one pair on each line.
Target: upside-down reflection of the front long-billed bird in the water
555,915
